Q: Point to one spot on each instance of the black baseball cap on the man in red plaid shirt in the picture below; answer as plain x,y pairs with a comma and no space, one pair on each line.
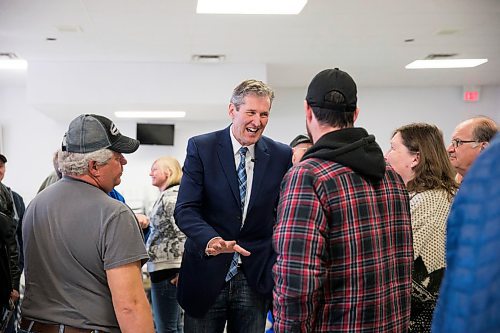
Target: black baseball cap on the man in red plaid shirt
332,80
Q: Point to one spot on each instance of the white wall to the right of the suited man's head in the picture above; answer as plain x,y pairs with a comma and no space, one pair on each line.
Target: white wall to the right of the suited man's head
384,109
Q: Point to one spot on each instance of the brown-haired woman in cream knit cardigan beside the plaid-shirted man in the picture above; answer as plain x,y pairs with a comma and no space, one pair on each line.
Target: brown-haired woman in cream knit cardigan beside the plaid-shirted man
419,156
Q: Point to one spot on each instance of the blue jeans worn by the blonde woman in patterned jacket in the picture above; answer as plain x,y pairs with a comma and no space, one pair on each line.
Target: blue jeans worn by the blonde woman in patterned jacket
166,310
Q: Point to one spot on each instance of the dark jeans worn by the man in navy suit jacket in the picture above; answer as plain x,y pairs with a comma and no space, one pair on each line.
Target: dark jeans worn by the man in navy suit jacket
242,308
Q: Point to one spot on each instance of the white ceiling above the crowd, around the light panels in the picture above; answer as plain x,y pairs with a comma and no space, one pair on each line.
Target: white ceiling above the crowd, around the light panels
364,37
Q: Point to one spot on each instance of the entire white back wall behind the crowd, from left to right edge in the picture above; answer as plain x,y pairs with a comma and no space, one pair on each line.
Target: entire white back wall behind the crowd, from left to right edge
30,137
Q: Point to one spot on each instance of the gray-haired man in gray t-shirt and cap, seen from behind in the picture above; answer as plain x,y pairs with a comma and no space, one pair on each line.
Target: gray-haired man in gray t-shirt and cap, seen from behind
83,249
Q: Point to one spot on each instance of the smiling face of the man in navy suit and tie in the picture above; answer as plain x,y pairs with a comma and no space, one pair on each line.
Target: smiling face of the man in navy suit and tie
251,119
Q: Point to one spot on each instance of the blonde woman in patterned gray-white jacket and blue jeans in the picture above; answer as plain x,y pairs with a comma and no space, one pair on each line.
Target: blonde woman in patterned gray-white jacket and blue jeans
165,246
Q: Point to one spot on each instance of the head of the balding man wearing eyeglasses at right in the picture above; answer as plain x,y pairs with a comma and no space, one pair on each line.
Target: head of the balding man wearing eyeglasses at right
468,140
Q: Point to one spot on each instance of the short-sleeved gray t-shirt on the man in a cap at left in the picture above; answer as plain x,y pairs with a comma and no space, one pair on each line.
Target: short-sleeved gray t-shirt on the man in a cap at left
73,232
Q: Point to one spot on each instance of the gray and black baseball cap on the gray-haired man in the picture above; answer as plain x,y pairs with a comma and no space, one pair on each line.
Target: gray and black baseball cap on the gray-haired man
91,132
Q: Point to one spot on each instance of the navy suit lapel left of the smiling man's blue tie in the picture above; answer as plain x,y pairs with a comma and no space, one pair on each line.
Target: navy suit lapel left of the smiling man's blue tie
226,158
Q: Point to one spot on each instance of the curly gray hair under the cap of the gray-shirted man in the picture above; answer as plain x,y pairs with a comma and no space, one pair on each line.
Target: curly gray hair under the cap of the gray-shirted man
78,164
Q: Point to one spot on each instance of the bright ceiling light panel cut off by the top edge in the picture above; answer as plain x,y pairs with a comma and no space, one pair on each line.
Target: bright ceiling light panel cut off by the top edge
284,7
